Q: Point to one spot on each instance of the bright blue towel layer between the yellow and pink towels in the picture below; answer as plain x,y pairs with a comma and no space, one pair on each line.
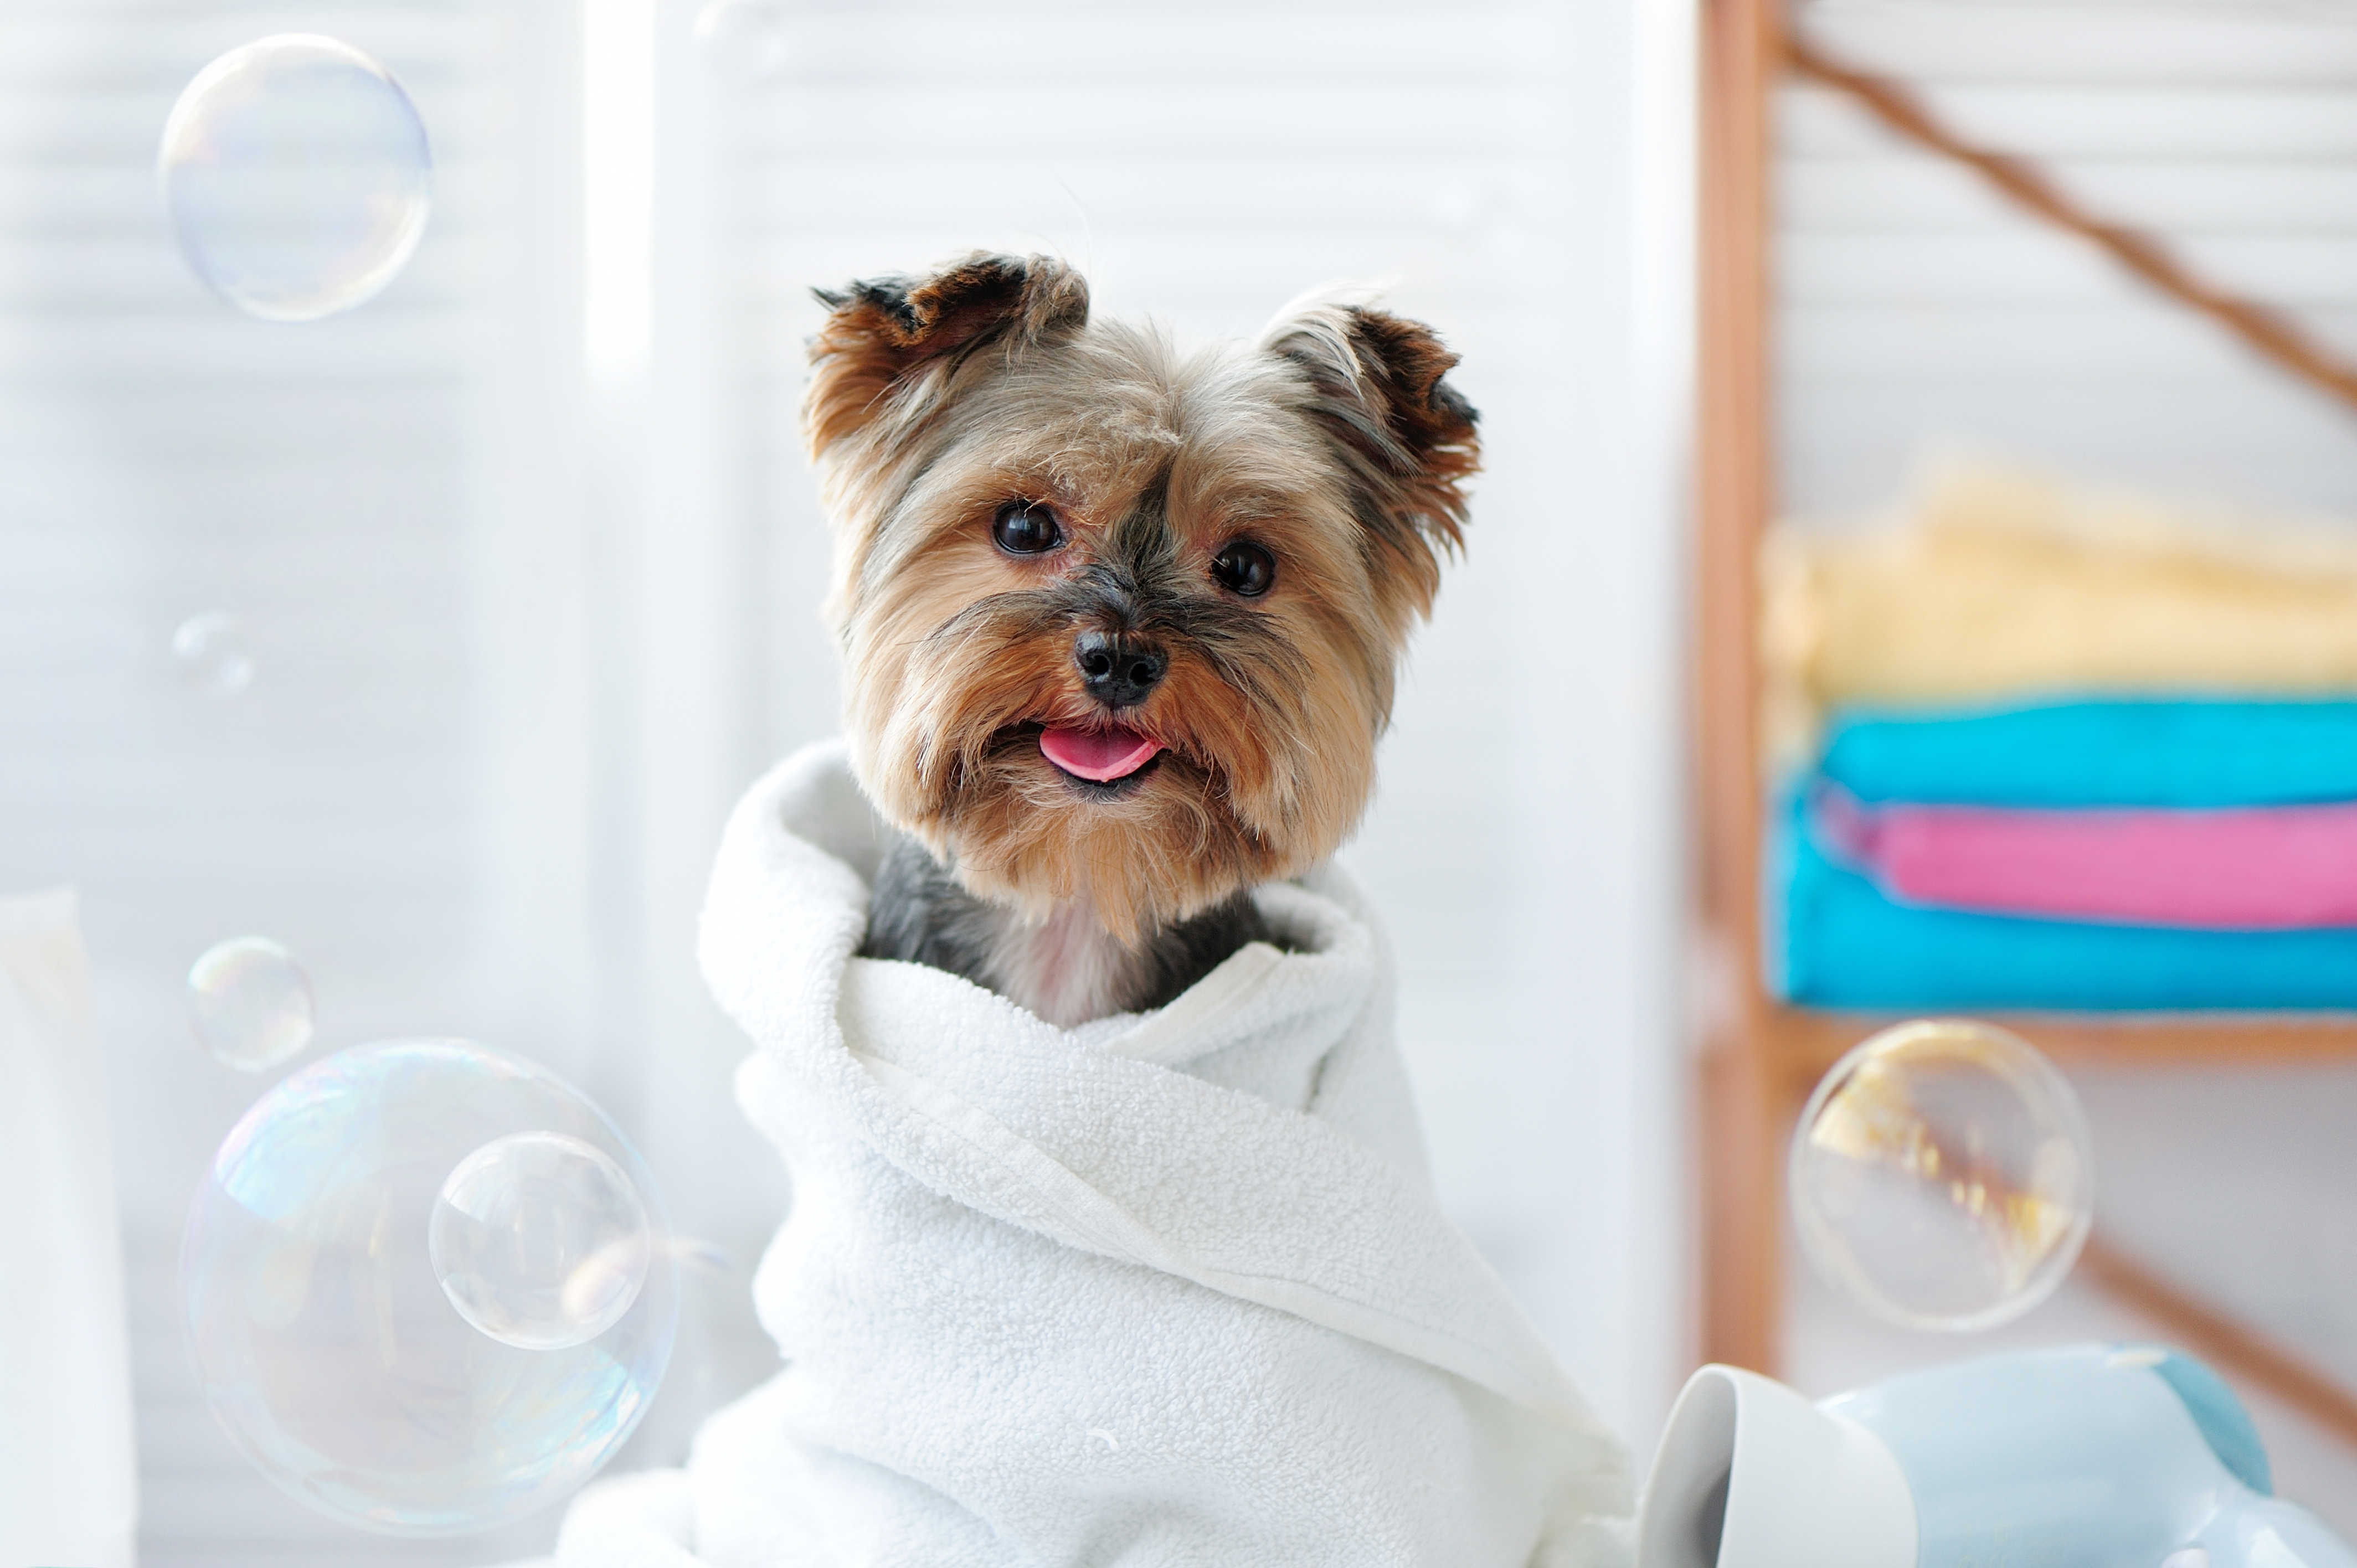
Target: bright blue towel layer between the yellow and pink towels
2163,753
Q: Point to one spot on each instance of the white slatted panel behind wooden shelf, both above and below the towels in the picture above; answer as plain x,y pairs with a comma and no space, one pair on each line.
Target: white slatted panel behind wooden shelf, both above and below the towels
1920,310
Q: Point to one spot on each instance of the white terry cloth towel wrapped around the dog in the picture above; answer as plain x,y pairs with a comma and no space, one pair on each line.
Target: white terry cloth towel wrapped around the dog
1161,1291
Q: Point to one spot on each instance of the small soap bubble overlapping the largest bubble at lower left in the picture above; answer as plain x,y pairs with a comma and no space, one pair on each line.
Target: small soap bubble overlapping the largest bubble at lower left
541,1241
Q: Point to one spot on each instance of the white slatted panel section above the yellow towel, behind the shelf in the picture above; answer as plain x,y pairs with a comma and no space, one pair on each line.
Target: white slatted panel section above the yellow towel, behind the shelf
1920,308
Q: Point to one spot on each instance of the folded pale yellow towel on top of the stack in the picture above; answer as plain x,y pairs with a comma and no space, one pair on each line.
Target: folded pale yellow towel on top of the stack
2002,584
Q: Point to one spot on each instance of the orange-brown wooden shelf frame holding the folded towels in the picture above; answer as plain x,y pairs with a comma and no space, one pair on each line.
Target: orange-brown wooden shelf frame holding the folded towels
1762,1058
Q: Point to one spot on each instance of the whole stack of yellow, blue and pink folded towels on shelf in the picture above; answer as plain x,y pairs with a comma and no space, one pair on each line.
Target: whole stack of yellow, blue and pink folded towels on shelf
2056,749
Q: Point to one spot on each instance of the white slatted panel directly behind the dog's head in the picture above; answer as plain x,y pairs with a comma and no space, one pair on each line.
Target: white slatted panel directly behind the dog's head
1203,164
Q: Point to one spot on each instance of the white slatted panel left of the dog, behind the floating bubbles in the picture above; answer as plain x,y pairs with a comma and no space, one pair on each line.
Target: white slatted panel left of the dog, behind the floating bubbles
164,456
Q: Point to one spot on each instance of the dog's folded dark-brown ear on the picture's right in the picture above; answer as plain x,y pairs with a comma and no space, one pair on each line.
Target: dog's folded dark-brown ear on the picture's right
1406,435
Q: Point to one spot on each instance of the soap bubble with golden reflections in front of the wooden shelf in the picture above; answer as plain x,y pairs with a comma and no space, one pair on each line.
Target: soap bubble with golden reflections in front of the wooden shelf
1943,1175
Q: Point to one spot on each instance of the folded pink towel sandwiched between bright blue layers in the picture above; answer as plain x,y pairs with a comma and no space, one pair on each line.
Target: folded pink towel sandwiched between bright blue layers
2264,869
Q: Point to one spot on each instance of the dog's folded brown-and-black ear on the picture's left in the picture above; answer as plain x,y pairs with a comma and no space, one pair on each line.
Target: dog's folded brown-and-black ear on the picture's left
883,334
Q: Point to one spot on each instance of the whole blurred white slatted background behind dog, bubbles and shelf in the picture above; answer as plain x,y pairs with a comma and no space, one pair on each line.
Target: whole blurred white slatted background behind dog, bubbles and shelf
527,562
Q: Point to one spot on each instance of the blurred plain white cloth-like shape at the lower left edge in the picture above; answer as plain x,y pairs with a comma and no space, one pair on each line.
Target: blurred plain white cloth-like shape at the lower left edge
70,1482
